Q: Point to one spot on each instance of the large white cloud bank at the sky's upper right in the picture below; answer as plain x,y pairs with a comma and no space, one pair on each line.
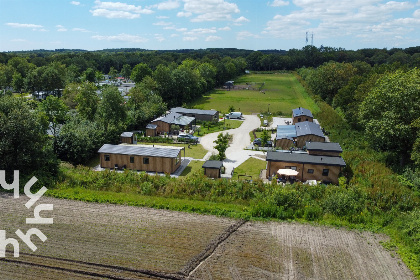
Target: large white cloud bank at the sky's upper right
334,19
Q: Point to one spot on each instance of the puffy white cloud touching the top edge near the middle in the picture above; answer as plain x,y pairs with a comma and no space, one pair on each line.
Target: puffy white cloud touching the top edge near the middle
209,10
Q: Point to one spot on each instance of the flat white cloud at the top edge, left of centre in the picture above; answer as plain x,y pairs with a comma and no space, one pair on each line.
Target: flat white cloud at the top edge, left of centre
118,10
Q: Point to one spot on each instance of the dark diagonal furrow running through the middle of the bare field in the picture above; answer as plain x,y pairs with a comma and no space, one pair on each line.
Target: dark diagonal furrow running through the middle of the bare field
196,261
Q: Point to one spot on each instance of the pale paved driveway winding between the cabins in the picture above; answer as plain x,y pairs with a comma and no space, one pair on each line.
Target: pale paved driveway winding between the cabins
235,154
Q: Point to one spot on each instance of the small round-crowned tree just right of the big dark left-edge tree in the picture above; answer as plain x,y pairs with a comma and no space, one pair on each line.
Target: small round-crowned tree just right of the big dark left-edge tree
55,110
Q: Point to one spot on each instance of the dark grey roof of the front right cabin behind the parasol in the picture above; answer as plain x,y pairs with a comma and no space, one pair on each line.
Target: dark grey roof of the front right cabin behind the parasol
305,158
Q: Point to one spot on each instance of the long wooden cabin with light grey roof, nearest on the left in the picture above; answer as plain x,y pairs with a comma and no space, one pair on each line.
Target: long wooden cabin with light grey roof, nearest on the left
140,158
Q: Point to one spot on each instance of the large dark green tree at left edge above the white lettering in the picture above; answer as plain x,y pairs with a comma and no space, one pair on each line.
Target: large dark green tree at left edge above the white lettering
24,144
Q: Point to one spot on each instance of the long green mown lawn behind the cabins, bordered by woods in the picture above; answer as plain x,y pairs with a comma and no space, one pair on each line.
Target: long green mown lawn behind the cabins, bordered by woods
282,93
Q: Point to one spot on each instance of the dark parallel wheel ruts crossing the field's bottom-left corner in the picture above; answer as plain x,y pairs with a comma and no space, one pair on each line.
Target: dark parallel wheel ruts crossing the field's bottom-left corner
159,274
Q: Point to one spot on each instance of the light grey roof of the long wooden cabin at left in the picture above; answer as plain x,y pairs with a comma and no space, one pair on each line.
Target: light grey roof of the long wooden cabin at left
139,151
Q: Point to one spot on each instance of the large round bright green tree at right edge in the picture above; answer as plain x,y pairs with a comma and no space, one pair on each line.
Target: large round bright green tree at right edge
388,111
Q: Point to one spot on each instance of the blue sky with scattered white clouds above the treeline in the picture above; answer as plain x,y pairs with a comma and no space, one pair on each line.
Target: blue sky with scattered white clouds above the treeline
193,24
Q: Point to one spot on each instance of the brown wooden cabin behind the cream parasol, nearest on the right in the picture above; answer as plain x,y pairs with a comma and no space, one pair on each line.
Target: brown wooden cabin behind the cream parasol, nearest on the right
310,167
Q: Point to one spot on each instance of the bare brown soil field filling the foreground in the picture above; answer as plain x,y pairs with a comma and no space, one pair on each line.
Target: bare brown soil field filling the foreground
100,241
